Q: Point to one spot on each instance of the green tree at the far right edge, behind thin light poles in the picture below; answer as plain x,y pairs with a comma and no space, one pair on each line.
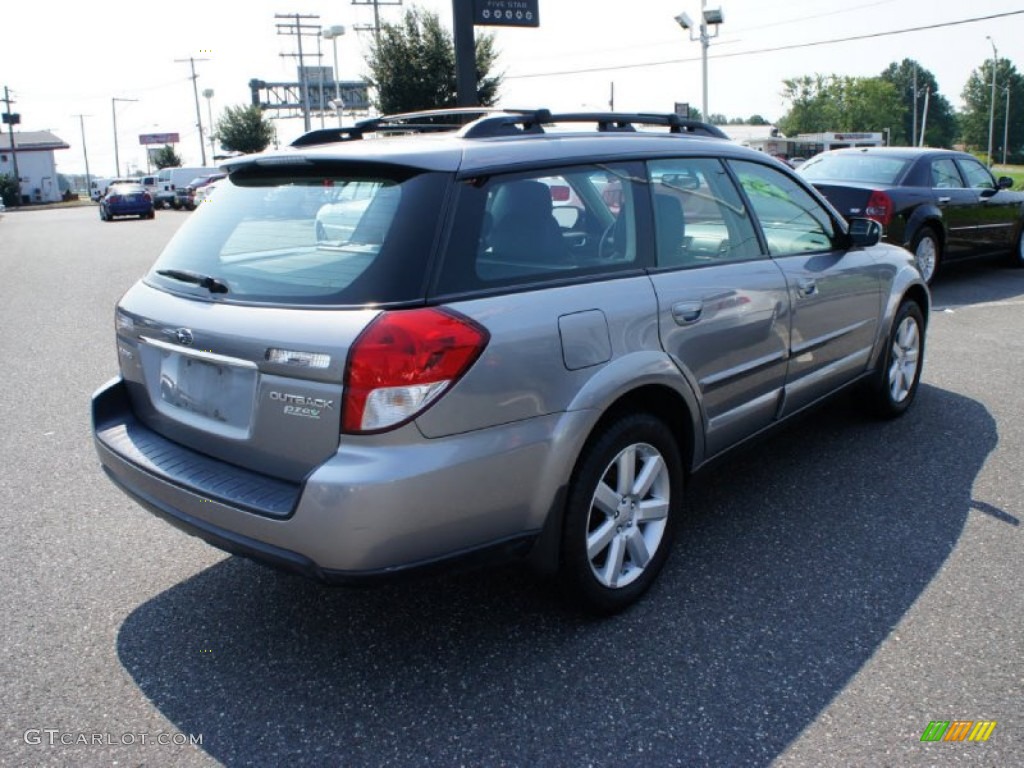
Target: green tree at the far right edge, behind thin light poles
977,98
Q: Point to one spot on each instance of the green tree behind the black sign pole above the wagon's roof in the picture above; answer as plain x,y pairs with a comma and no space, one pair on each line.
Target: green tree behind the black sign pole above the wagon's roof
412,66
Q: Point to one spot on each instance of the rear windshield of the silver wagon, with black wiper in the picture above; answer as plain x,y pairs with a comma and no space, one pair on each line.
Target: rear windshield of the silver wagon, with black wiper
342,238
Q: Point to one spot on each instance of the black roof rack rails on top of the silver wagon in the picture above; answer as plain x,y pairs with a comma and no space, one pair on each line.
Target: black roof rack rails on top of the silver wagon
482,122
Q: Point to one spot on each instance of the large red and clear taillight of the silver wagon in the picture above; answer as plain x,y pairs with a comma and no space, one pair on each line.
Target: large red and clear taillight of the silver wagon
405,361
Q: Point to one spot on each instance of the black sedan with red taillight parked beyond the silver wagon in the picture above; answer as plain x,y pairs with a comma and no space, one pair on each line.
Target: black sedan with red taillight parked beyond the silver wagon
941,204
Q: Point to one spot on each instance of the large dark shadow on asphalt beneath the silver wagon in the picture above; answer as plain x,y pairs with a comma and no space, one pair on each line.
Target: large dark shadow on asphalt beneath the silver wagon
795,564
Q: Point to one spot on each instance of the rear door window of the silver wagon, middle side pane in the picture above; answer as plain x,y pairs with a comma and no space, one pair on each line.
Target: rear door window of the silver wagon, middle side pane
700,219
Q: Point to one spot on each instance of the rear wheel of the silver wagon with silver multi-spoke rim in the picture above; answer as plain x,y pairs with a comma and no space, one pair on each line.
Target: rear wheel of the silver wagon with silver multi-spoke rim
623,505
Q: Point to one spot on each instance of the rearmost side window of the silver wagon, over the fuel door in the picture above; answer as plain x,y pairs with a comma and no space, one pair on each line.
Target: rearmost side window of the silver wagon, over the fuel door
550,225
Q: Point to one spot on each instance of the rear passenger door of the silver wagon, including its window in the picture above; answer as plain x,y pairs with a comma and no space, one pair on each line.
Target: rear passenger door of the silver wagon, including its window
723,305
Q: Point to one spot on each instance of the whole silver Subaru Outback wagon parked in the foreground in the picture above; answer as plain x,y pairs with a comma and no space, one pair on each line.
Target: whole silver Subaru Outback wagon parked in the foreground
408,344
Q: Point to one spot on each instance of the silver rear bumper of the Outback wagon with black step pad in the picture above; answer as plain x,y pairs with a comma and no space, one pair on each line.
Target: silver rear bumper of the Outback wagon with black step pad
372,510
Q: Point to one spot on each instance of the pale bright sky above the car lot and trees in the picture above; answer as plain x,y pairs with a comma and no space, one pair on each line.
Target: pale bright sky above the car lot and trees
65,60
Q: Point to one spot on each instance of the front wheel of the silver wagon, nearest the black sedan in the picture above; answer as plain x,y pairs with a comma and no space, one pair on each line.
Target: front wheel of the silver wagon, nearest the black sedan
897,385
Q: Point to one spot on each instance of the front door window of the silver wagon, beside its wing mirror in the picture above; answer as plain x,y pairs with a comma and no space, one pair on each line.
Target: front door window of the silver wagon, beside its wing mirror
793,222
